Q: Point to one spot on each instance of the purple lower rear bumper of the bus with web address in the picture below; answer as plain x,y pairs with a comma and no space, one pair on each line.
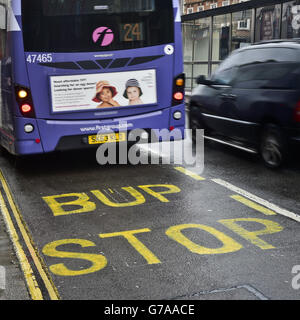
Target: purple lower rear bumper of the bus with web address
73,134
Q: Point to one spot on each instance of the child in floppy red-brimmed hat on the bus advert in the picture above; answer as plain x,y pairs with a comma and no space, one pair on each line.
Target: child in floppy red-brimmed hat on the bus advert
104,94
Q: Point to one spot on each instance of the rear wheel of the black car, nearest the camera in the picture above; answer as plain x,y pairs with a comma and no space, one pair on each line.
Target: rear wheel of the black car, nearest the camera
273,149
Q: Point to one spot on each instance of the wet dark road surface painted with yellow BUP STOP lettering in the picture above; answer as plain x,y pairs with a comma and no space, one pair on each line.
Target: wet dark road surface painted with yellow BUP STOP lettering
156,231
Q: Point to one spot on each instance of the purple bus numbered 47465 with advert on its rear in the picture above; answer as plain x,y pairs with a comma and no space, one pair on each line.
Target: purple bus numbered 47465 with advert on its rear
72,70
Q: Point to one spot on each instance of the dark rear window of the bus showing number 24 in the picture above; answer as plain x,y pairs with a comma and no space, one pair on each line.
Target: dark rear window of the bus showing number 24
95,25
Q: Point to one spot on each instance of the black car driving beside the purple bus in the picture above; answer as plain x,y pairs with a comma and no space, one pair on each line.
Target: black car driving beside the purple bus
252,101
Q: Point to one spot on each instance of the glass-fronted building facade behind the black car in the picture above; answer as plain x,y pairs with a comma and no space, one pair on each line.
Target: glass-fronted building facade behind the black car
209,36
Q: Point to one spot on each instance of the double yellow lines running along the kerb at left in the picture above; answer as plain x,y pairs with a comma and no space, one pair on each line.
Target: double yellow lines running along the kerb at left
27,272
